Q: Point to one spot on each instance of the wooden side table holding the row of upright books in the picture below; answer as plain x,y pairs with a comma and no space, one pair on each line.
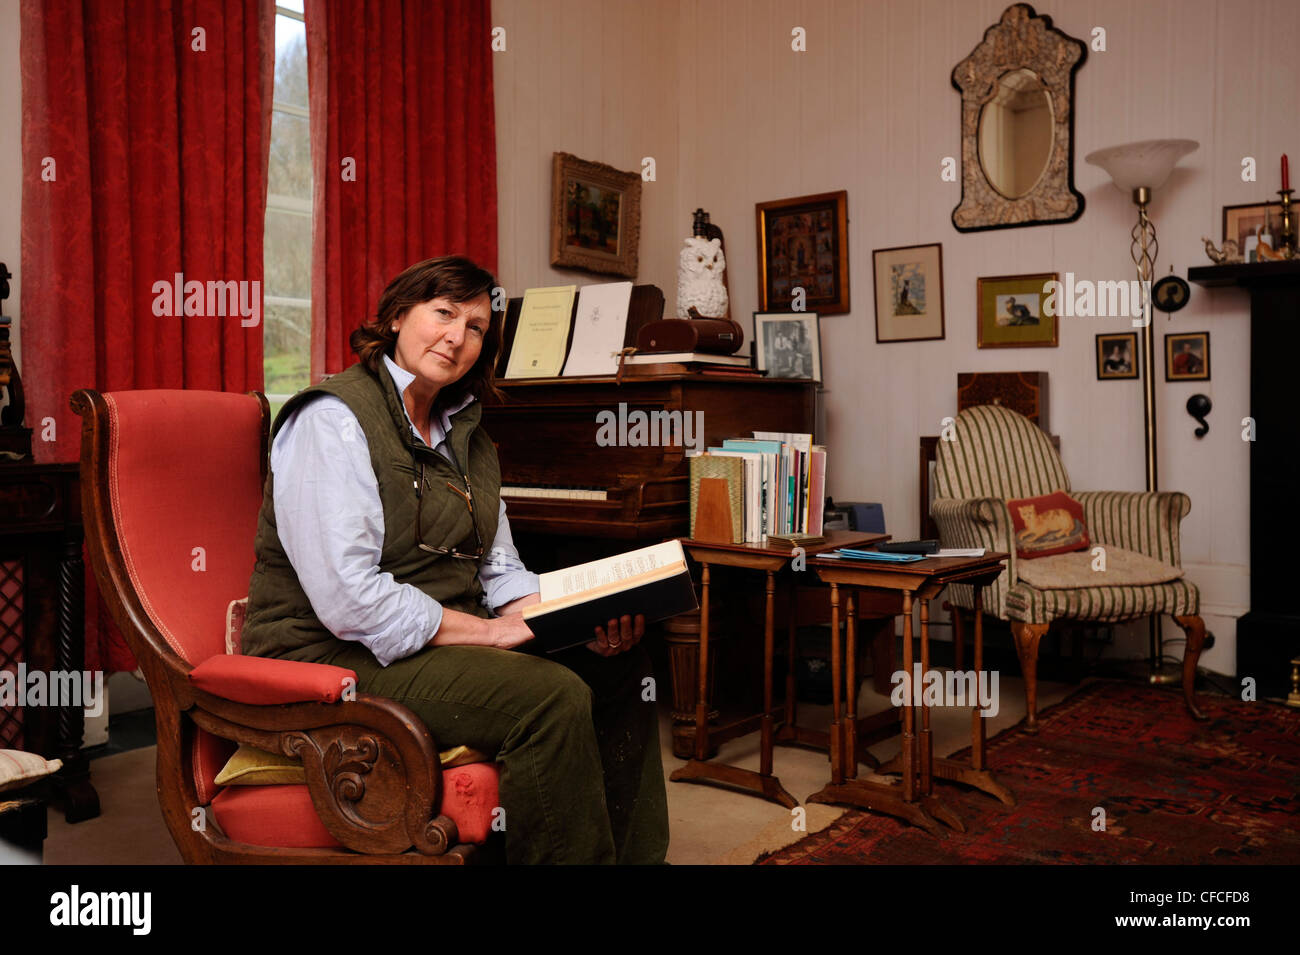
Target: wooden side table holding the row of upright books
770,561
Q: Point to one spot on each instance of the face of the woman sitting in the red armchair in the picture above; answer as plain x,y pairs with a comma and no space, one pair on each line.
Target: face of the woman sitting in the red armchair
440,341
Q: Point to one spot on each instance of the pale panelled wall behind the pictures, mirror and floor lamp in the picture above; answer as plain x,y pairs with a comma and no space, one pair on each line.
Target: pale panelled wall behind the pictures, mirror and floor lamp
734,118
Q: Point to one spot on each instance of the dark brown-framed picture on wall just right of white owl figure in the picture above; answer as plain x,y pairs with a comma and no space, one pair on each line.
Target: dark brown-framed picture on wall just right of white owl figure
804,244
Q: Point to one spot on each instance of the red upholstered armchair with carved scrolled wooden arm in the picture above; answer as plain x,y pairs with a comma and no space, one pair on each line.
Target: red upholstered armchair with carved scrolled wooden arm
172,484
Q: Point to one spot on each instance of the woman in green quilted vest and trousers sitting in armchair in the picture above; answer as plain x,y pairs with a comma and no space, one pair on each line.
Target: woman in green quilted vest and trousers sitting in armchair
383,546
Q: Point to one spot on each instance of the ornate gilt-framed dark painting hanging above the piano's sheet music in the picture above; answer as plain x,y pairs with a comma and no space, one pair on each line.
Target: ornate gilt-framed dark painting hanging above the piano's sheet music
596,216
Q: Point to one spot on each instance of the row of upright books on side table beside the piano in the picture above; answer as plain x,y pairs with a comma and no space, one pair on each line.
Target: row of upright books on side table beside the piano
770,485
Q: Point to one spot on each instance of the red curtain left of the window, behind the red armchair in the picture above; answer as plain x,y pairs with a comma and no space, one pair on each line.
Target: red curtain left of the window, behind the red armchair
145,144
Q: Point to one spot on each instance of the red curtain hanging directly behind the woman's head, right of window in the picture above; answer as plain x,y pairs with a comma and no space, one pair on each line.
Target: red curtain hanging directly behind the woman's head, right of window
404,151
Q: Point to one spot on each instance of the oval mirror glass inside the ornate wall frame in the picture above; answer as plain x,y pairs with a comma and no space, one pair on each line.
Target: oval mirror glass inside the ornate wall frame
1016,133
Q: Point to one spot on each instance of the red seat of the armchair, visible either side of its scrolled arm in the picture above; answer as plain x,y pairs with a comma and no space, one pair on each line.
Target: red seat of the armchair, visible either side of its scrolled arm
285,817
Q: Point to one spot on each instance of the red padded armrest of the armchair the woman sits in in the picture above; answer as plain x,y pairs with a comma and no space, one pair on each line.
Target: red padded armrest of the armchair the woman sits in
262,680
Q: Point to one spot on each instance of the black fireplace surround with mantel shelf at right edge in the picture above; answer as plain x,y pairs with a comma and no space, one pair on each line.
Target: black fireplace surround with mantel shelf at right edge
1269,636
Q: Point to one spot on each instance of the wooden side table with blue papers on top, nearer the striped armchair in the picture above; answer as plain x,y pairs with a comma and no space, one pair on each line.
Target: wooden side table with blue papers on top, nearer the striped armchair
913,800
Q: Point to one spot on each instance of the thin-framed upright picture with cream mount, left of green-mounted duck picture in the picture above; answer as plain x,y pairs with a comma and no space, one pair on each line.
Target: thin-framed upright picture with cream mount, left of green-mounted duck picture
909,286
